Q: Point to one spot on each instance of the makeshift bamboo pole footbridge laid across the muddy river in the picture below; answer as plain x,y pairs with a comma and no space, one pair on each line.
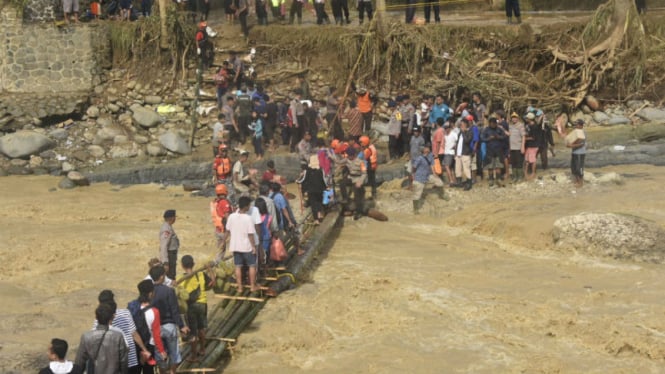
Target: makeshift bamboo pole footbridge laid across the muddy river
236,311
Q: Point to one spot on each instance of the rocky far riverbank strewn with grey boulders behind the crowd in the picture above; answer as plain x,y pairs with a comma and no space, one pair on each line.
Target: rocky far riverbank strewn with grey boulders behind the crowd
126,131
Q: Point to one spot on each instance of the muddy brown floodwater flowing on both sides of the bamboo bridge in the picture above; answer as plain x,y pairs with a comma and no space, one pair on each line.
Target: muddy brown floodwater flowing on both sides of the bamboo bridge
474,286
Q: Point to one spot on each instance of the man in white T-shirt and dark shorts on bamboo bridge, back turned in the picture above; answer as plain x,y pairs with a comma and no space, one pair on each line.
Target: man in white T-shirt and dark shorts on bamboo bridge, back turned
240,227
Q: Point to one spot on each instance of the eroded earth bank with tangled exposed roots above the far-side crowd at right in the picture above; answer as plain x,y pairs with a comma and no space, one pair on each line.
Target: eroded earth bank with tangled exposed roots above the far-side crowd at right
612,55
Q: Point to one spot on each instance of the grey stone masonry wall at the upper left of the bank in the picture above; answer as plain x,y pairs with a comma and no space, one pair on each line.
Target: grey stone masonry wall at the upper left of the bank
41,57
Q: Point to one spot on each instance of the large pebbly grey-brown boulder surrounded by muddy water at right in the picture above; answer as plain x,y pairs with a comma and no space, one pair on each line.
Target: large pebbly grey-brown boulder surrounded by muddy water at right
614,235
